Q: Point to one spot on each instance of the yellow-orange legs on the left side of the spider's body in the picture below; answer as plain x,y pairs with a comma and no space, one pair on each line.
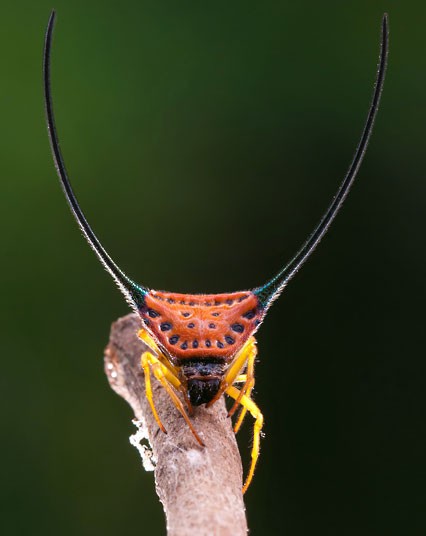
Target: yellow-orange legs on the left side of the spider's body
167,375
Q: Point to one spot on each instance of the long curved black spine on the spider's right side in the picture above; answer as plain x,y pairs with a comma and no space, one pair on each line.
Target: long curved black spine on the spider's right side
272,289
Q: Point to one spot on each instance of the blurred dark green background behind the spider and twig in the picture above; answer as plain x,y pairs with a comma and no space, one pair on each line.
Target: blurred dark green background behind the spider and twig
204,141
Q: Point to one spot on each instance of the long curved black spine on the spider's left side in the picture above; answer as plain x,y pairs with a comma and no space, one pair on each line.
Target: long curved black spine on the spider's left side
134,293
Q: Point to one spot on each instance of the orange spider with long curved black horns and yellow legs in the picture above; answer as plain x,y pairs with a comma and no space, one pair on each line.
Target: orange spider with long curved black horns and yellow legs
202,345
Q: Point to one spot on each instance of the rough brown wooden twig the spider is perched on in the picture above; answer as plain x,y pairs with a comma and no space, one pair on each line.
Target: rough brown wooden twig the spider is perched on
200,488
